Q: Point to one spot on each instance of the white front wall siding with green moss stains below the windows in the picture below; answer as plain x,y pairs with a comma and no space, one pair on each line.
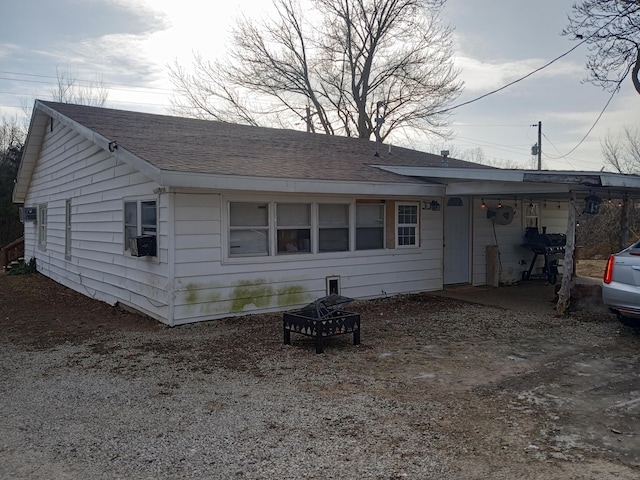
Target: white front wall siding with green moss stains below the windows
208,285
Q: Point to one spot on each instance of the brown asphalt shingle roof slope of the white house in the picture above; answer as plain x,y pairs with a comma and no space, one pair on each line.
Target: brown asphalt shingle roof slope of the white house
179,144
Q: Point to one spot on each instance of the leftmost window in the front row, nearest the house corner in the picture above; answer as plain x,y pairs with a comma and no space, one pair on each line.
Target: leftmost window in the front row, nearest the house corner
248,229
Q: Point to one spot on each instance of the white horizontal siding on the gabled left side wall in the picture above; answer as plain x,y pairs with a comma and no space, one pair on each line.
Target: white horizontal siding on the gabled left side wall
70,167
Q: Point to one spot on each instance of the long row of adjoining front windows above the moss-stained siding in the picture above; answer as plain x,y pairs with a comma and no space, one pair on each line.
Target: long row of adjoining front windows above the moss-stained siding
270,228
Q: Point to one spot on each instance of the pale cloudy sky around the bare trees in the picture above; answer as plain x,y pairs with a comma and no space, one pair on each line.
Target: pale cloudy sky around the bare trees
128,45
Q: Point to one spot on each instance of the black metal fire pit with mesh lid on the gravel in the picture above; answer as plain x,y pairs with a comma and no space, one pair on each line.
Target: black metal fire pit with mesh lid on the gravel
321,319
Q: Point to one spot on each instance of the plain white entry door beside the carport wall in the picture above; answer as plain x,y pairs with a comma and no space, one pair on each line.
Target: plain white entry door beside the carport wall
457,241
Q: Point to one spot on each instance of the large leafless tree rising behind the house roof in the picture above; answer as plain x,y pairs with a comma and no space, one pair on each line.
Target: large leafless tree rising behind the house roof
369,67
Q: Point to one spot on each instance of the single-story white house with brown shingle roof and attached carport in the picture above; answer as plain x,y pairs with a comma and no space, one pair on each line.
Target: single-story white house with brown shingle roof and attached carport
188,220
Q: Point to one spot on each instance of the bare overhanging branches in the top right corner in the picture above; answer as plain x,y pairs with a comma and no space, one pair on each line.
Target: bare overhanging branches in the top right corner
611,28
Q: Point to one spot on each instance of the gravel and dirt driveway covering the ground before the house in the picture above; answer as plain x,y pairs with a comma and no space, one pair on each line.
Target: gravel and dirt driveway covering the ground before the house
439,389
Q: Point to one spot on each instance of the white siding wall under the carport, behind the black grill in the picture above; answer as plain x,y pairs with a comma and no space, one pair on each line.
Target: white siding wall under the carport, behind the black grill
514,259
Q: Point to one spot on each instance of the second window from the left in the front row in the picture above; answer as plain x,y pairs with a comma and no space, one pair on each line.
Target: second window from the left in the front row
293,226
